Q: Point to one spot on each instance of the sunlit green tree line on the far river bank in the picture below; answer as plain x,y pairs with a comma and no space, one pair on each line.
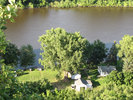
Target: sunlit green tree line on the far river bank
70,3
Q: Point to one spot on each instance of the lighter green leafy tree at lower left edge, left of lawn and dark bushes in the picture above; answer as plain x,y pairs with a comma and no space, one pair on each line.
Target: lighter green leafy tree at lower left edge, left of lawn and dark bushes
6,86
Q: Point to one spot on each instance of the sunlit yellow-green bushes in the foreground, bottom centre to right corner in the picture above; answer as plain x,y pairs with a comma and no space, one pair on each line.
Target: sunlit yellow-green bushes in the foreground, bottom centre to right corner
107,92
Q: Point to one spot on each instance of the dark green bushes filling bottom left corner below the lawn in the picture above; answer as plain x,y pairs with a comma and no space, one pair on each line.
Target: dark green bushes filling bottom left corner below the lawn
10,88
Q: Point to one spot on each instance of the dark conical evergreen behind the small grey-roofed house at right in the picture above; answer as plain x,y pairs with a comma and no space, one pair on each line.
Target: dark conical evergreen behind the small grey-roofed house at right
112,55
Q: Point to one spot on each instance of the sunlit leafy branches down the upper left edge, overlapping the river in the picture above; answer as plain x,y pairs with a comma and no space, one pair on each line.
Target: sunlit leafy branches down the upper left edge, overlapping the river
6,12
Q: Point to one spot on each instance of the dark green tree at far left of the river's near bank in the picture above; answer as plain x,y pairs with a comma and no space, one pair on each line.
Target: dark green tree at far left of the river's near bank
11,57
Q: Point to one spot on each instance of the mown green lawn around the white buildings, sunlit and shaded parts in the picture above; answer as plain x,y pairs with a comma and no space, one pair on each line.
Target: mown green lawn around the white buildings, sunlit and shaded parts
50,75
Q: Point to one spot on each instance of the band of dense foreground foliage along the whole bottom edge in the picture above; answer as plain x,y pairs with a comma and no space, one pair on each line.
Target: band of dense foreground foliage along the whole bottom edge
37,91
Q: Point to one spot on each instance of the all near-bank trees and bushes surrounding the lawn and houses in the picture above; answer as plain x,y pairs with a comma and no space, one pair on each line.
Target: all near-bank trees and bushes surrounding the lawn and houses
73,49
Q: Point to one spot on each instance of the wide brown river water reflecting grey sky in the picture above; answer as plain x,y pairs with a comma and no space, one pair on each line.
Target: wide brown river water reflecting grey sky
106,24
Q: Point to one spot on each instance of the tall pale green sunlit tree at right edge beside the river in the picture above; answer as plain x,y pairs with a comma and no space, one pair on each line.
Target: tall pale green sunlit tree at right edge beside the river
125,51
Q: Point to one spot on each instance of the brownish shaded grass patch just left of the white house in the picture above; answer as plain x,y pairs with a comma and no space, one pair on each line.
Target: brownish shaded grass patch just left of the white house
63,84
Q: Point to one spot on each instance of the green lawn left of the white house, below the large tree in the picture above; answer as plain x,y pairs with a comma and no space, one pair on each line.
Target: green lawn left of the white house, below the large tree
47,74
